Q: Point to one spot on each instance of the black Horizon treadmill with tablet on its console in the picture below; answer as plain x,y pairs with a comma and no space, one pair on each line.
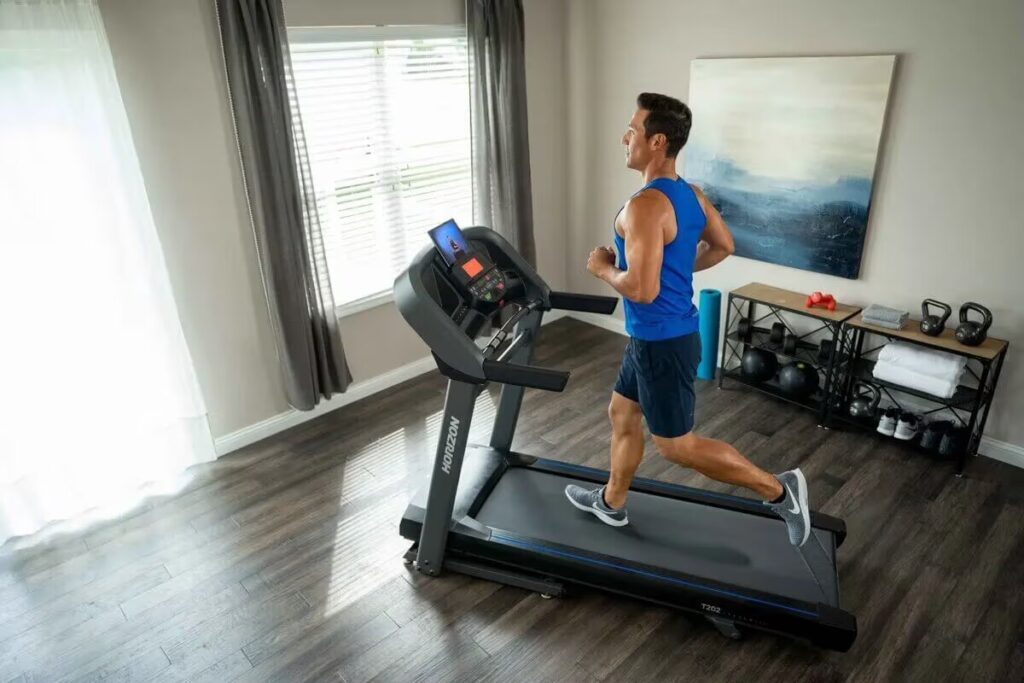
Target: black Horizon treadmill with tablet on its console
501,516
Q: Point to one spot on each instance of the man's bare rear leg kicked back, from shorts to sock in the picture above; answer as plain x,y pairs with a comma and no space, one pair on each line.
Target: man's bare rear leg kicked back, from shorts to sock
719,461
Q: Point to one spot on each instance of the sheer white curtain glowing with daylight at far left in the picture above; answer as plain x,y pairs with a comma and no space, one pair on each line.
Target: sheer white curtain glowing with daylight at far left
99,401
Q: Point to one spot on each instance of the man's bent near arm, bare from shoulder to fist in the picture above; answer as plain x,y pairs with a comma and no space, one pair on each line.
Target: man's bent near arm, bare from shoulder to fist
645,250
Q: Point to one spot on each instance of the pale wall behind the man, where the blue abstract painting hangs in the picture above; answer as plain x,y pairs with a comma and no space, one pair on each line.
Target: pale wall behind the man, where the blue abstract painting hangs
945,222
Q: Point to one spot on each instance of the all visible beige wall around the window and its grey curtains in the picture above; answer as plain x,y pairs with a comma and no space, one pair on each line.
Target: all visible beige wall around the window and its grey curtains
168,61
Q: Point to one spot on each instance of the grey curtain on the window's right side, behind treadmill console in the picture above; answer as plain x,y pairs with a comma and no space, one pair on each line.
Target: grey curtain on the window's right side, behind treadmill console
502,194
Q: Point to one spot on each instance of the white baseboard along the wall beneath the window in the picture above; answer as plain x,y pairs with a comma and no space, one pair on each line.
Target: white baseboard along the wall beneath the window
357,392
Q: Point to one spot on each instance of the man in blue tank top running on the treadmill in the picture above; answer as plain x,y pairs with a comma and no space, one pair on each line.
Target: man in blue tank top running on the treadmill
664,234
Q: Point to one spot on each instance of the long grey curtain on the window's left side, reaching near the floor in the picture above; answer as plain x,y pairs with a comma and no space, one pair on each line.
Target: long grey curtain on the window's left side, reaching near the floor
282,203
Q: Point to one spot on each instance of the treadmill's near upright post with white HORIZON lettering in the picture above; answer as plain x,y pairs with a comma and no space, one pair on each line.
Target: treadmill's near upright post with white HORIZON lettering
459,404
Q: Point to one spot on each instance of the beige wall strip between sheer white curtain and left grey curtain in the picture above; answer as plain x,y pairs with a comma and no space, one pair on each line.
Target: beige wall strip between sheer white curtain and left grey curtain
166,56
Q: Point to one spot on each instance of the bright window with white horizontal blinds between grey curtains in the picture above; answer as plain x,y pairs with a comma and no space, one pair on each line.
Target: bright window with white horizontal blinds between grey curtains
387,118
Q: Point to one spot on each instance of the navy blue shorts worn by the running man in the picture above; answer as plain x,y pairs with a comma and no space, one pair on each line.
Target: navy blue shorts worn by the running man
659,375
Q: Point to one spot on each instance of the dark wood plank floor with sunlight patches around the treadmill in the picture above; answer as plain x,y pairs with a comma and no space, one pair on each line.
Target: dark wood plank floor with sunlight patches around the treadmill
282,563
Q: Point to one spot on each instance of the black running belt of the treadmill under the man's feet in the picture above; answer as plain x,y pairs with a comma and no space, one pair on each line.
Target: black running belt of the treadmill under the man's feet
745,550
